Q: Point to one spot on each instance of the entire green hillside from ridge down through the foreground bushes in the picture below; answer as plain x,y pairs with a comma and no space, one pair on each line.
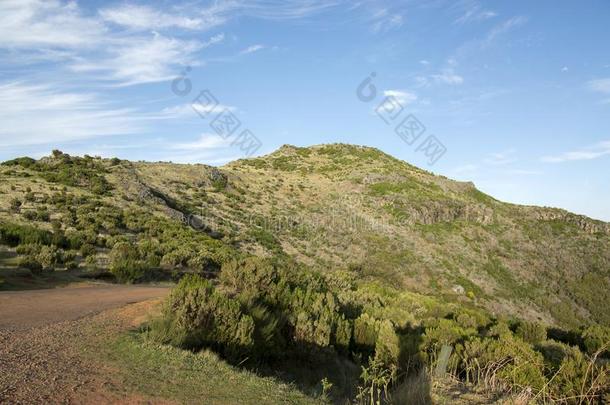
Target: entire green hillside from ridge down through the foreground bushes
336,248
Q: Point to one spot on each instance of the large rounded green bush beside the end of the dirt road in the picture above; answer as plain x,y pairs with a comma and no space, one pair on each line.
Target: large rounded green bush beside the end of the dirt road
288,314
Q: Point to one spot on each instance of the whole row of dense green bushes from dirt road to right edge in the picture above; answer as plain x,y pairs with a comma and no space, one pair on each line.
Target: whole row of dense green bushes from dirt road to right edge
273,309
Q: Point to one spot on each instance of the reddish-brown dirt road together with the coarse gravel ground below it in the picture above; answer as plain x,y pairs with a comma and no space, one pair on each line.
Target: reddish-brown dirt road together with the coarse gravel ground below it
45,336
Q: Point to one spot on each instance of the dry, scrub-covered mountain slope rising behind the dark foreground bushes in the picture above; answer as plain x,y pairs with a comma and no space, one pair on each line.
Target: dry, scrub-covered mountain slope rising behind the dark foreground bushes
342,208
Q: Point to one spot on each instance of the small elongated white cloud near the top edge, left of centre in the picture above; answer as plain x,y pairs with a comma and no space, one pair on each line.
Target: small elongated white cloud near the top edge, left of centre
146,18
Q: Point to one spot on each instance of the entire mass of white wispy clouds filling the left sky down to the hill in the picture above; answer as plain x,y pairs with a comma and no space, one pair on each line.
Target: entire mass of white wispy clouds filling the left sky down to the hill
124,44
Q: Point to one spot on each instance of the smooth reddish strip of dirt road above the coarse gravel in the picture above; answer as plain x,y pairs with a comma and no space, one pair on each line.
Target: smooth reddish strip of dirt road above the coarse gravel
21,310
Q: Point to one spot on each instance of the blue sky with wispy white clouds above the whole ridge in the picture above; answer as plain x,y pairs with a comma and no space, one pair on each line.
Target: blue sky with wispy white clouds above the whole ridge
518,92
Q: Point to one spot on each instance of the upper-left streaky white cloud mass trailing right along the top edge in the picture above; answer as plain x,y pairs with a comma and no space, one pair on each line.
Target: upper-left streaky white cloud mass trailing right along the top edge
115,43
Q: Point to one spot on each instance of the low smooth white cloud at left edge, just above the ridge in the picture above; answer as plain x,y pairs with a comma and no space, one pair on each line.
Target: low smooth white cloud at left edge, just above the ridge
43,114
